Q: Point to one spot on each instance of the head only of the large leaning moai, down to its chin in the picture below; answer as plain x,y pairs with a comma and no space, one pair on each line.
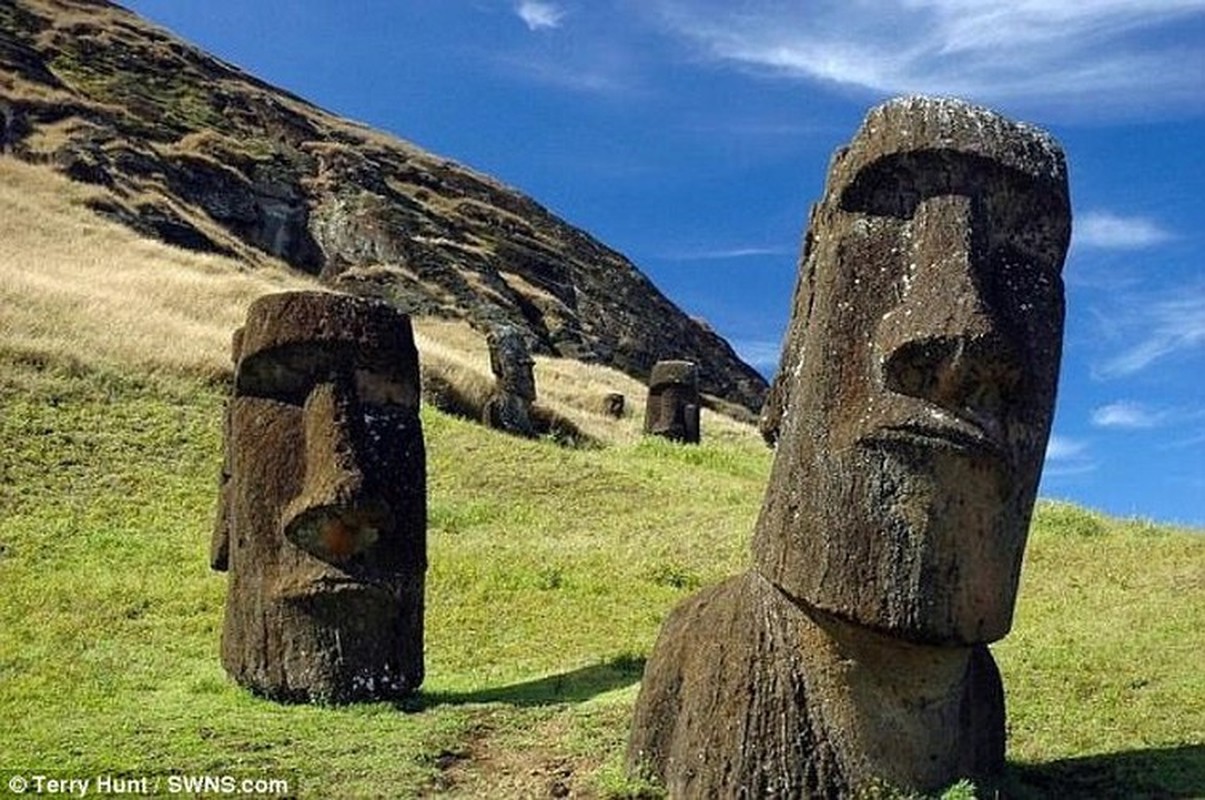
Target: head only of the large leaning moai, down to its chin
918,385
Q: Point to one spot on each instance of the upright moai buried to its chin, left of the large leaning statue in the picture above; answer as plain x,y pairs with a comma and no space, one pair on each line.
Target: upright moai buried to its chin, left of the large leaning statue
322,520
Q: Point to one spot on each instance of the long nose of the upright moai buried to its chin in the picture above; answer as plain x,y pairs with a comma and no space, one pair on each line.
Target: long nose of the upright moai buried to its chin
336,516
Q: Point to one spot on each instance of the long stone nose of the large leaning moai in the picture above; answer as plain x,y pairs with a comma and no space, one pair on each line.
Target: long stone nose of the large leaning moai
944,344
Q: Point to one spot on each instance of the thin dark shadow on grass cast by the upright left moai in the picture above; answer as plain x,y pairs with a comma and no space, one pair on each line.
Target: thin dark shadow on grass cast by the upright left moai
568,687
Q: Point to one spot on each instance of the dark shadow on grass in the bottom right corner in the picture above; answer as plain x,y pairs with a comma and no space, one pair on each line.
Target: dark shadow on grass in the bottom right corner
1157,774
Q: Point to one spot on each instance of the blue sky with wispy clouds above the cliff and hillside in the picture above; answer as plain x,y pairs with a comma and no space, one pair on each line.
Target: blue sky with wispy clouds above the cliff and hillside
692,136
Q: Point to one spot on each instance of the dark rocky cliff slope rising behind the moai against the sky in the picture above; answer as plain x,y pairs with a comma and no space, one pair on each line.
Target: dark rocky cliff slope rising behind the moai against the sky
196,152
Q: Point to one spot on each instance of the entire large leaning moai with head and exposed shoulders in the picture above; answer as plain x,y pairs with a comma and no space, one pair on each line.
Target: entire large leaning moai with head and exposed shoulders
916,395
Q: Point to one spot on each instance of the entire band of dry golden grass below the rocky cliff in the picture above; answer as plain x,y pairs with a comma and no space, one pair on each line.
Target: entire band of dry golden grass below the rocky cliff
78,289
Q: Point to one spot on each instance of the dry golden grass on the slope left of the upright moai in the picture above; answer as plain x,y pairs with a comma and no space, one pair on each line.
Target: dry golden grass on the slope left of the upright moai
79,289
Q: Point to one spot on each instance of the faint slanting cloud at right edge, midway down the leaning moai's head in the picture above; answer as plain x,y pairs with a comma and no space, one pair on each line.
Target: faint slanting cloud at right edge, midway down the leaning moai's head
1160,330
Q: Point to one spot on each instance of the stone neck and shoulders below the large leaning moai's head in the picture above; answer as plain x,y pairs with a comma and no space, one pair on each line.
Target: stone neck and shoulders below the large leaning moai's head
749,696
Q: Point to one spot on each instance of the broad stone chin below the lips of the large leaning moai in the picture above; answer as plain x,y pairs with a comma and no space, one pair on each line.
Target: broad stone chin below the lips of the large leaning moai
938,537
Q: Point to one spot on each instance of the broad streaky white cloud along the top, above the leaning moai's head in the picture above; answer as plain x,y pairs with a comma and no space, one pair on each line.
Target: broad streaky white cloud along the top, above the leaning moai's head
1124,52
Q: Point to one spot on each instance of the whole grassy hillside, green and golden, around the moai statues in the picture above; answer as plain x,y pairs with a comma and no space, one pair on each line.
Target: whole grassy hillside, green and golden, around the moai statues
551,568
